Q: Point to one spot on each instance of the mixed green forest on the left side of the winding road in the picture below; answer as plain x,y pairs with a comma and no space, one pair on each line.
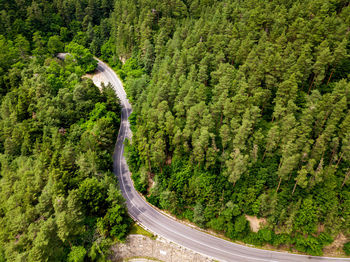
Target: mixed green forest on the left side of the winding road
59,200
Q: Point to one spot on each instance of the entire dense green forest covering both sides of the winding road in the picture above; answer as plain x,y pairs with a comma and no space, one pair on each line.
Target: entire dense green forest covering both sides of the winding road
240,108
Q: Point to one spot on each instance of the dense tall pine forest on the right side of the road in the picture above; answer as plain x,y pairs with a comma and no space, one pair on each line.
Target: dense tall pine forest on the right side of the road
242,108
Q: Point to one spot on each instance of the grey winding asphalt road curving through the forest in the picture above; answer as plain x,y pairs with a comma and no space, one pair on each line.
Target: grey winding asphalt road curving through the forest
168,228
